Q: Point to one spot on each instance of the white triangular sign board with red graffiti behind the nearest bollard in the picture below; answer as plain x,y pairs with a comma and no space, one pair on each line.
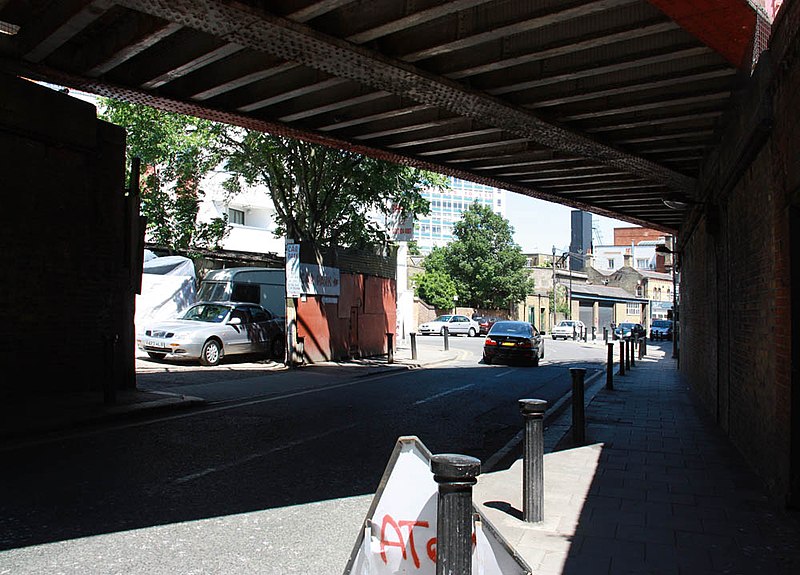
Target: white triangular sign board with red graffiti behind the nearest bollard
399,532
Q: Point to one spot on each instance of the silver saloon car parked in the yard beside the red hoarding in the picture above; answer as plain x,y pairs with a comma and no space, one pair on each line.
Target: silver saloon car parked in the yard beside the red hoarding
208,331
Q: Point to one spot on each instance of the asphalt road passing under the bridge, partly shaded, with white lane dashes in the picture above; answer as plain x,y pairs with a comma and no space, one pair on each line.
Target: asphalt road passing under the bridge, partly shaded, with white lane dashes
303,446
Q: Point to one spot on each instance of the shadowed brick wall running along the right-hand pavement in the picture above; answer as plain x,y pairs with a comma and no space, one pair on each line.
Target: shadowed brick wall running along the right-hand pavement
736,292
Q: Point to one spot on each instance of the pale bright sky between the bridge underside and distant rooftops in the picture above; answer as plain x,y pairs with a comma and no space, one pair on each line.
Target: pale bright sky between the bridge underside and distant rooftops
540,225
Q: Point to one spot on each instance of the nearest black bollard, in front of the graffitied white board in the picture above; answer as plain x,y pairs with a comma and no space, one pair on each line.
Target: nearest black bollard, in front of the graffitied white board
455,474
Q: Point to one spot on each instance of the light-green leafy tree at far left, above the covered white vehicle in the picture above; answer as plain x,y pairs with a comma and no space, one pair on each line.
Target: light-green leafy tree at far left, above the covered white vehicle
176,152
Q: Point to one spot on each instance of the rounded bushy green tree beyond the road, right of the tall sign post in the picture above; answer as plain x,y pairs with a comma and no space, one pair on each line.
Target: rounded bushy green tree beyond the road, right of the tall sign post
484,262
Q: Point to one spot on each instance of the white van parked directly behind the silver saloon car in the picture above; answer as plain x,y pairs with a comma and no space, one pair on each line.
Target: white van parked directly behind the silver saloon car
264,286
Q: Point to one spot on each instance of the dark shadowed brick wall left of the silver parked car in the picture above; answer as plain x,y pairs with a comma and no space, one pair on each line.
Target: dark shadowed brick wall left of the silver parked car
68,287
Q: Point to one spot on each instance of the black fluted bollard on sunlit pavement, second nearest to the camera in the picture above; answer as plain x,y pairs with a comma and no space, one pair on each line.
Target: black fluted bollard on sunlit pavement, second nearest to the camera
533,411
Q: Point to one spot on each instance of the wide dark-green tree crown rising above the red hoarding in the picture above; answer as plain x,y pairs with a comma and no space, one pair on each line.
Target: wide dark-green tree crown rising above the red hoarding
327,197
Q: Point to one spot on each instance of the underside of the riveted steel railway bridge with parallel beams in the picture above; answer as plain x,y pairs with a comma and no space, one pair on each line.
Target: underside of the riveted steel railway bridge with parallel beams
603,105
